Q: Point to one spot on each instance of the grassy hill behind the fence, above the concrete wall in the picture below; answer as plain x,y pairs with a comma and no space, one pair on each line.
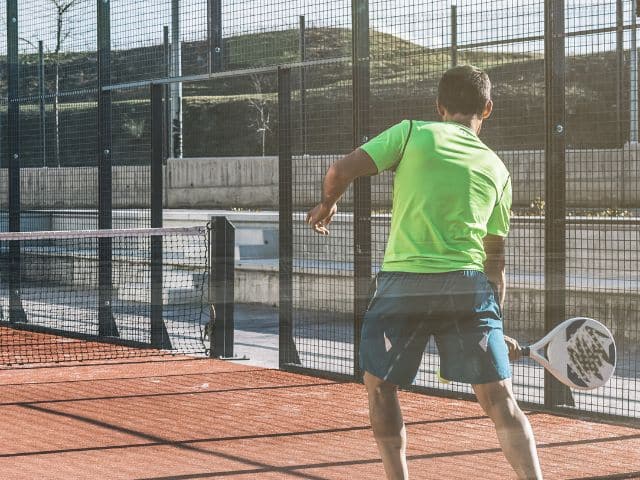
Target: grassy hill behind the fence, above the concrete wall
220,115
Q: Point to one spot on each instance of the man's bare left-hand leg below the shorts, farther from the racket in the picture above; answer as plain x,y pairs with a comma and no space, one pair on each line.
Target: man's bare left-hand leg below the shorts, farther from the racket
388,426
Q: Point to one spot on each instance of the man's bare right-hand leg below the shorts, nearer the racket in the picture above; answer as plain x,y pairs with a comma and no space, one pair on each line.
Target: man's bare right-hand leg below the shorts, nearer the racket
512,426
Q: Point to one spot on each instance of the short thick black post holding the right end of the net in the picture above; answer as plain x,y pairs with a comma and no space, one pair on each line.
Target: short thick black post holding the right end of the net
222,276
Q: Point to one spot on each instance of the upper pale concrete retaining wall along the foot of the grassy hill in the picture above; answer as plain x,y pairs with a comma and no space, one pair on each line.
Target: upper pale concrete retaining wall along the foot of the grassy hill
595,178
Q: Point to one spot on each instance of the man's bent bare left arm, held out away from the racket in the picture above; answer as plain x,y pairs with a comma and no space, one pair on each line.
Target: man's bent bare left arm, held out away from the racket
336,181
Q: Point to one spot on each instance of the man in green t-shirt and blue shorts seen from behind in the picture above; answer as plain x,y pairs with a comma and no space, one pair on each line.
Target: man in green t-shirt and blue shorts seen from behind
443,269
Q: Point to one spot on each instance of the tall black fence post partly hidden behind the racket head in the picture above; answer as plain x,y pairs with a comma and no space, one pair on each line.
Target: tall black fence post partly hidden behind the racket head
555,393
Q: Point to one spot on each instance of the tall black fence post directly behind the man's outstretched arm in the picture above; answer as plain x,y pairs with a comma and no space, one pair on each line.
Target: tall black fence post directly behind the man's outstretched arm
362,186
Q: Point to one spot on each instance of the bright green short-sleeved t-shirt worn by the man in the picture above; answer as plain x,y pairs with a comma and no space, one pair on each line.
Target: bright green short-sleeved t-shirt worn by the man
450,190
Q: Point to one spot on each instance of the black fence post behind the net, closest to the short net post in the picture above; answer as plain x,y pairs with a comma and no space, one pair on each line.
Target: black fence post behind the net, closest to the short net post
159,334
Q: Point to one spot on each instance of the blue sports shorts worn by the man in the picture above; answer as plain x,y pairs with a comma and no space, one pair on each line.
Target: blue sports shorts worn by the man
459,309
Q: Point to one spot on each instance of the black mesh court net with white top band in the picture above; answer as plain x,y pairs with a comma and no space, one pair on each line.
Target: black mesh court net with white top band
83,295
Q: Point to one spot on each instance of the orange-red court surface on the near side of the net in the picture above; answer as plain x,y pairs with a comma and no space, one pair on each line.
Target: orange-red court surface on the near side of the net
185,418
